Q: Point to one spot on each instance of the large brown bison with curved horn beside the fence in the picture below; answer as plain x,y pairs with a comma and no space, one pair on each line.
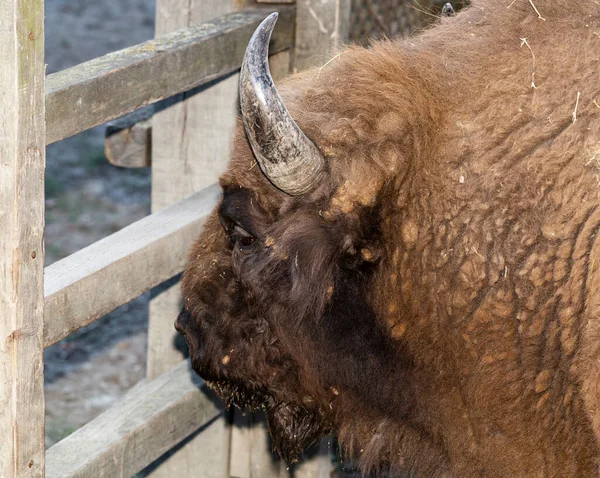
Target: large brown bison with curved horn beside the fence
406,253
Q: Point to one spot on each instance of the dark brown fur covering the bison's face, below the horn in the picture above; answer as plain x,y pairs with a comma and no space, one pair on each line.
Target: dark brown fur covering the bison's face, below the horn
260,323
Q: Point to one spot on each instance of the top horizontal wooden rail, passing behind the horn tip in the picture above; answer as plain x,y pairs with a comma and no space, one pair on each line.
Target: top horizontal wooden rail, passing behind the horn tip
110,86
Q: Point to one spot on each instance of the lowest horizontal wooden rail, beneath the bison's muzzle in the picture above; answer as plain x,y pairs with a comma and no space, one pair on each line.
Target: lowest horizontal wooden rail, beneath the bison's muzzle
152,418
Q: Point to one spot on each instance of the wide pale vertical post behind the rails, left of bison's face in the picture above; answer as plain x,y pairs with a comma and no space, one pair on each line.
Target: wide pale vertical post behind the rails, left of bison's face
190,147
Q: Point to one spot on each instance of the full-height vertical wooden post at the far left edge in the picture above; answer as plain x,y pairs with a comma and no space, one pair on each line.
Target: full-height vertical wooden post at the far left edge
22,156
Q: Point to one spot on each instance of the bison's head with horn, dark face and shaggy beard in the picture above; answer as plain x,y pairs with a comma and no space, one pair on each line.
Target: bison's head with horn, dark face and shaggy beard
277,310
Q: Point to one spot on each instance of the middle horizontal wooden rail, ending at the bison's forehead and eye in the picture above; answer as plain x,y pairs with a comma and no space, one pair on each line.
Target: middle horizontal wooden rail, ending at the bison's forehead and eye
99,278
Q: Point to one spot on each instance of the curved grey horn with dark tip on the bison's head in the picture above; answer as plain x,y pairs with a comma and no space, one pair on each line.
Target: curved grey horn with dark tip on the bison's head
286,156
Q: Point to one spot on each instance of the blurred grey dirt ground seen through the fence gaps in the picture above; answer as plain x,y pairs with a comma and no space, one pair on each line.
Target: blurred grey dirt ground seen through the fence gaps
87,199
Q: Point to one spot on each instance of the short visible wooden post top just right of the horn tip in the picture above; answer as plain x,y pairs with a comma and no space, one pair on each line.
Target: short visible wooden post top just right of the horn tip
321,28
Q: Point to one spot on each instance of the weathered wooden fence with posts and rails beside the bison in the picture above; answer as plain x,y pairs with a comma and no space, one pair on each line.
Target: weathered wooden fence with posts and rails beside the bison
195,58
